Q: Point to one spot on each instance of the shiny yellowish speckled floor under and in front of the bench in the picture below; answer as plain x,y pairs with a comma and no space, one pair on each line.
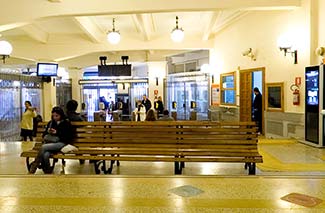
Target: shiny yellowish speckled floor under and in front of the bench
152,187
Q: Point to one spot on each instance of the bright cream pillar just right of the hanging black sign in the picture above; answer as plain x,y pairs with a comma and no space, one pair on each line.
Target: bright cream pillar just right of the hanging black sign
156,69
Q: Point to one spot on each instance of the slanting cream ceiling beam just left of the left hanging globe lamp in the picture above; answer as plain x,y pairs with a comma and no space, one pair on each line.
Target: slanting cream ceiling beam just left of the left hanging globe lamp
90,28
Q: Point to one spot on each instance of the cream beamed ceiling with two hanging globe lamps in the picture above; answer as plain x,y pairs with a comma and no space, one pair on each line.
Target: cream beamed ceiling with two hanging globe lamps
73,32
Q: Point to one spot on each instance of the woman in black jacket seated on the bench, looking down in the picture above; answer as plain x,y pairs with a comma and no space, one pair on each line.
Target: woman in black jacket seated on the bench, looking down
59,129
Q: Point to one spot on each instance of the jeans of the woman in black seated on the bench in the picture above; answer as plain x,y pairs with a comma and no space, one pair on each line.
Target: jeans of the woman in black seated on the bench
46,150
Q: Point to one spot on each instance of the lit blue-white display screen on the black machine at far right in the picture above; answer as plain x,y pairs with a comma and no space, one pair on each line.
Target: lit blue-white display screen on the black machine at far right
312,86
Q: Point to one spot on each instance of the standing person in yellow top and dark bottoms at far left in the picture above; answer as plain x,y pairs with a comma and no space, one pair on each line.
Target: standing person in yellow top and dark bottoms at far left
27,122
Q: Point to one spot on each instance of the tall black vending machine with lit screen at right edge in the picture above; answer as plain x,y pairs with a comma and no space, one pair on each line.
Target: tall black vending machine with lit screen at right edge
314,106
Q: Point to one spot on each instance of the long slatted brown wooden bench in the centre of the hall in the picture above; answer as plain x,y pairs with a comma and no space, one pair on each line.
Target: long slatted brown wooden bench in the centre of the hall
174,141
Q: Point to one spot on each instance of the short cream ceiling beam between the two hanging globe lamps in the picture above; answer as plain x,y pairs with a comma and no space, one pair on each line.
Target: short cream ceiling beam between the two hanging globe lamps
144,24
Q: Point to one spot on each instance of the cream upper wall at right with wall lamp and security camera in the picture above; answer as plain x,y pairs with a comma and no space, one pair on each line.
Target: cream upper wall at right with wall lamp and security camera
260,31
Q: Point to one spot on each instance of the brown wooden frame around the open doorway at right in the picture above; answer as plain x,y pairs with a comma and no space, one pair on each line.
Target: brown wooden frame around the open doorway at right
252,70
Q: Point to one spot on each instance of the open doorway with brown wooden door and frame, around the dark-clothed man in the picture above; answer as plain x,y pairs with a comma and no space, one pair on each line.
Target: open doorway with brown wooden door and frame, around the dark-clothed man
249,79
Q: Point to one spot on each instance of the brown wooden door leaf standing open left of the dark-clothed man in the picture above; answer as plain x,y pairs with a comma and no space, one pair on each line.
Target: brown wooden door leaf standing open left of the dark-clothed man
245,96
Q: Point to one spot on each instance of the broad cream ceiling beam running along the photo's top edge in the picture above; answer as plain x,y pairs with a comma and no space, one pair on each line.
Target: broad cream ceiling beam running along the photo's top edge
22,9
